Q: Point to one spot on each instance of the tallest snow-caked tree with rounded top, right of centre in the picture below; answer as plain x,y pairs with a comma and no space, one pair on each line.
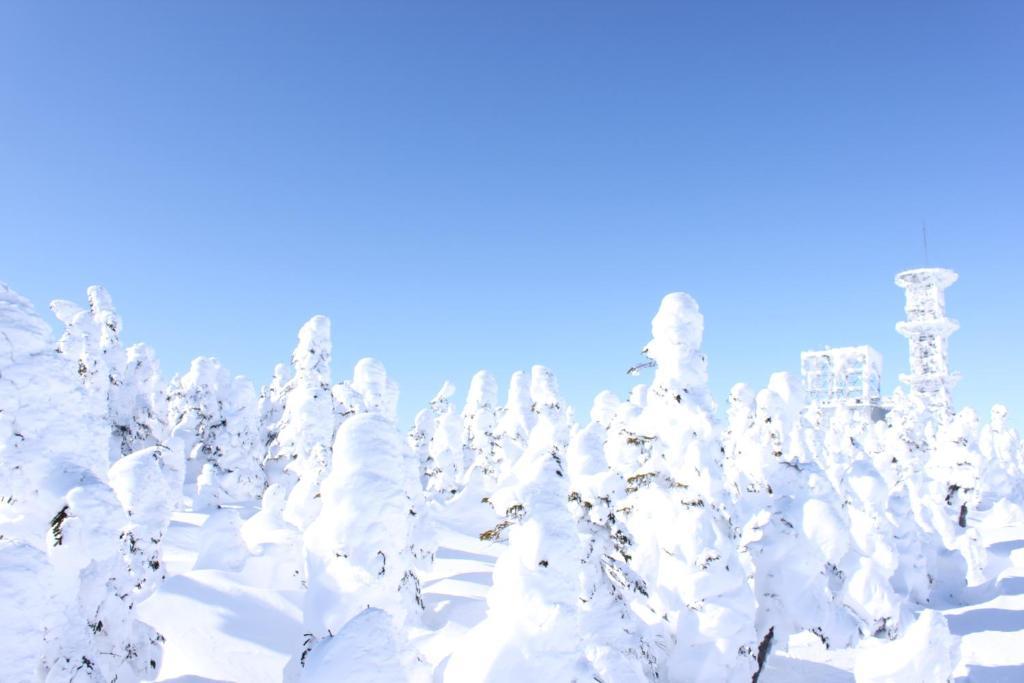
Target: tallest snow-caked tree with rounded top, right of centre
698,592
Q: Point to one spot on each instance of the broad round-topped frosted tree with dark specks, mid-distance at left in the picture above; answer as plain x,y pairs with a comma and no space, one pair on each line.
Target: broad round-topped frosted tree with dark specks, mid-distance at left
215,417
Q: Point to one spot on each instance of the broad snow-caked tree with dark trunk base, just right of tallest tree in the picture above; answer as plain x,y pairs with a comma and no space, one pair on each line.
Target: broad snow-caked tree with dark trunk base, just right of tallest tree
794,533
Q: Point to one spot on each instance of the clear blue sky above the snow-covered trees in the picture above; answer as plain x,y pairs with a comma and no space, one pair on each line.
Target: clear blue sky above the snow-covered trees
492,185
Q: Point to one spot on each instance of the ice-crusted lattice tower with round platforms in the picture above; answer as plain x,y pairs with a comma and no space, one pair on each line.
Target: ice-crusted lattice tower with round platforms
928,330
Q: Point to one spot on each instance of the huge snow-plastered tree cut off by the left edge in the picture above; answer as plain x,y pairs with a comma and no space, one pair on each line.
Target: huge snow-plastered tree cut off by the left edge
72,619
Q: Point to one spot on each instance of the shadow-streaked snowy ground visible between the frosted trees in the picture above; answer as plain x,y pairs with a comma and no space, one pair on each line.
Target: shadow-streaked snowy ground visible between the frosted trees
225,625
